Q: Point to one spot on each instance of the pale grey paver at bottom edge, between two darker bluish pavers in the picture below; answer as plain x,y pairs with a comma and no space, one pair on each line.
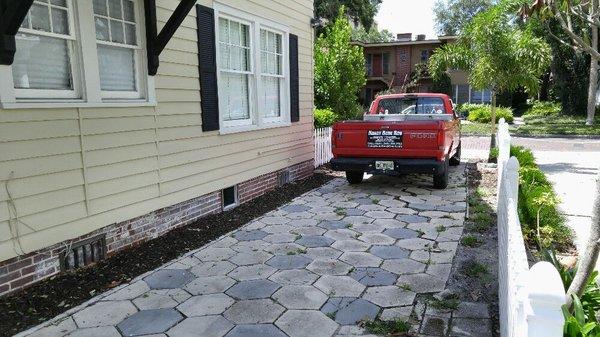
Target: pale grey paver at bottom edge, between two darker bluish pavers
209,326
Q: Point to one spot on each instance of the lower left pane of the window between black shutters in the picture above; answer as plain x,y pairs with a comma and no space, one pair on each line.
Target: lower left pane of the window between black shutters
234,94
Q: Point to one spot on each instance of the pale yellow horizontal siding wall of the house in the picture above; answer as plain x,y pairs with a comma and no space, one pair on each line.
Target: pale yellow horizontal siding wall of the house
71,171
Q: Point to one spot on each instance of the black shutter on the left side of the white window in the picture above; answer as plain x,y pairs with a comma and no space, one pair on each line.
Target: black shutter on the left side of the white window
207,64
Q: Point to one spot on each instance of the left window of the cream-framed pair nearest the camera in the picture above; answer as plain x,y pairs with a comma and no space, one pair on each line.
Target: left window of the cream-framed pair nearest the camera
45,63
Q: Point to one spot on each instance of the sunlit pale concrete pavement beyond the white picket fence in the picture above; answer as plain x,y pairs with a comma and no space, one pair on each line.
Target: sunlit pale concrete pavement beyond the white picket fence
571,165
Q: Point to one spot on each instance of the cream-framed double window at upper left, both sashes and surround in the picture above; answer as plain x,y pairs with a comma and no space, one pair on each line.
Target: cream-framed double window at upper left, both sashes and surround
95,59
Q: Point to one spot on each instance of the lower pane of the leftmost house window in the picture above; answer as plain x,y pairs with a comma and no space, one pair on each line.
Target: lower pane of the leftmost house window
53,71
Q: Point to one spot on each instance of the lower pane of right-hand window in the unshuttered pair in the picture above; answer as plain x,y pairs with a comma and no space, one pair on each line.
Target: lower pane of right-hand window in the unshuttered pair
117,68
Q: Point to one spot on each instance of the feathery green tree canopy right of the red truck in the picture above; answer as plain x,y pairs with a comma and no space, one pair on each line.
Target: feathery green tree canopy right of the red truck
497,53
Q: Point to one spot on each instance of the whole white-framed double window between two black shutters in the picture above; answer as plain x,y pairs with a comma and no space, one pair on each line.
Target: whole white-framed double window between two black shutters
253,71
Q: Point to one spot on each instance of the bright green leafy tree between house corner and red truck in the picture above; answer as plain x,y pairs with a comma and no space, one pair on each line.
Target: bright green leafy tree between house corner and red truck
339,69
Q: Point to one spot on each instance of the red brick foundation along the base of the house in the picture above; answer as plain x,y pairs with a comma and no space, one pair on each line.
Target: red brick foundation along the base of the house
22,271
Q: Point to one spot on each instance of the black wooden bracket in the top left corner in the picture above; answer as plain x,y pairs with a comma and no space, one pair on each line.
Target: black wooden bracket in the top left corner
12,14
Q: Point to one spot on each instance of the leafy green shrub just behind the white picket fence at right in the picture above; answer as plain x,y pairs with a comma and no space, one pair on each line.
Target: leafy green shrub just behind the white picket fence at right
538,199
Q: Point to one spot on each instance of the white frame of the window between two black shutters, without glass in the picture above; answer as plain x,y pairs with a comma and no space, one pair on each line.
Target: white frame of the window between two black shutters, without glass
257,119
